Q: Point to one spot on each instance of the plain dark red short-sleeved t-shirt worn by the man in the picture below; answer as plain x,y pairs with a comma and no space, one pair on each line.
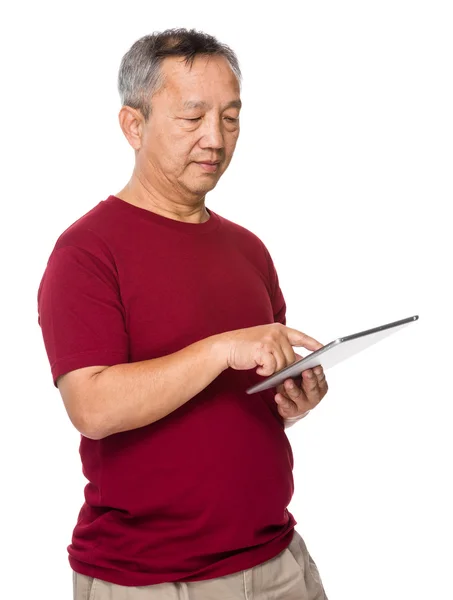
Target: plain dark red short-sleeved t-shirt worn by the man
203,492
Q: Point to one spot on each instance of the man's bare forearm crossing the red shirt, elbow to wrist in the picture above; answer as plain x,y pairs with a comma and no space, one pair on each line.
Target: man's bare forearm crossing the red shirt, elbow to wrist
132,395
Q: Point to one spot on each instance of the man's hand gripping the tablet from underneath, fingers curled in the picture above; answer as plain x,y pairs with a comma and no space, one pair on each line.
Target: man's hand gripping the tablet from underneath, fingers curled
295,397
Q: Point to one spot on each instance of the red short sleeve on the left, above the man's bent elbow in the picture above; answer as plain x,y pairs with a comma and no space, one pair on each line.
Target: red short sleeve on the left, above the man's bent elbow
80,312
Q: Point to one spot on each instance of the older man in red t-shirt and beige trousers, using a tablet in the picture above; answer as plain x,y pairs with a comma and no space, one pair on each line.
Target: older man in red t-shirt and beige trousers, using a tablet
157,314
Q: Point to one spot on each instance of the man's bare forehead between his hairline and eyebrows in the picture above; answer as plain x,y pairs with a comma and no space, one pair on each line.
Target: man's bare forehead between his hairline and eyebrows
191,85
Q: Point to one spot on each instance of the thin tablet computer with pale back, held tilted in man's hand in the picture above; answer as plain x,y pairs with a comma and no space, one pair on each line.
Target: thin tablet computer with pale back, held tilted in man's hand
332,353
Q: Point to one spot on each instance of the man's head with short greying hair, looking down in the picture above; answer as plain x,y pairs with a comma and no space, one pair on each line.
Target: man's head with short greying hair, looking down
181,99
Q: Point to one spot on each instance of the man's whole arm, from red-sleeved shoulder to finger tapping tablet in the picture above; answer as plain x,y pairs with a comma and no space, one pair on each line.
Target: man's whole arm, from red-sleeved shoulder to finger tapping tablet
102,400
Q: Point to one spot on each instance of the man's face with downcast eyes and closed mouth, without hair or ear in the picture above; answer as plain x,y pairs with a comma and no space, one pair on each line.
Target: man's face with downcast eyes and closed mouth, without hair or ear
194,118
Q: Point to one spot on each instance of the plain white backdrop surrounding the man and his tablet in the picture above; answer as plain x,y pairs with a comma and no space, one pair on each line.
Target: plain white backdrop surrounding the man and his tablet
344,169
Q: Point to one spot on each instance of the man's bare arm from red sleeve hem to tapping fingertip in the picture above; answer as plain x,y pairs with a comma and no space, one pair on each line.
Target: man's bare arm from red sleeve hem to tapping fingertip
101,401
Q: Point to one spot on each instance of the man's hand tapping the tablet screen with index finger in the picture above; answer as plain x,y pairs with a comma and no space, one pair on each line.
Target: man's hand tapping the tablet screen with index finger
268,347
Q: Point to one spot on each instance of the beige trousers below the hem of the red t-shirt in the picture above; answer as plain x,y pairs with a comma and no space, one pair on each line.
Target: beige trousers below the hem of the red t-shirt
291,575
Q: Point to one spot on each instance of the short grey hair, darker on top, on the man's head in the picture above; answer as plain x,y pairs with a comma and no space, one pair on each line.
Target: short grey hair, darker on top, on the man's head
140,75
